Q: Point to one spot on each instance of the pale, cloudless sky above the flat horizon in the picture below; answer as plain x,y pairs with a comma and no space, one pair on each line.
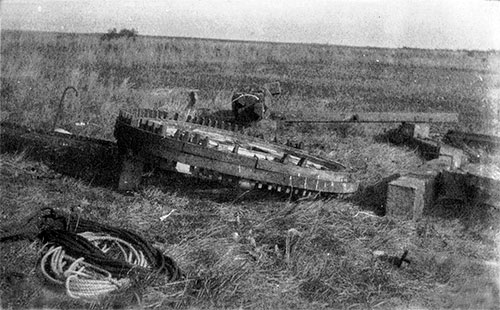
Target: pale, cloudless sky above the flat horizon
432,24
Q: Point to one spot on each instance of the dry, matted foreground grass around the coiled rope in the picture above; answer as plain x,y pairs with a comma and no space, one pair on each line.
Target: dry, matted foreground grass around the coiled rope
263,253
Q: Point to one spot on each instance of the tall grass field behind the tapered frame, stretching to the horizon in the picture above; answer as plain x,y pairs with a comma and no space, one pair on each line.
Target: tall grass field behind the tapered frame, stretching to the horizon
36,67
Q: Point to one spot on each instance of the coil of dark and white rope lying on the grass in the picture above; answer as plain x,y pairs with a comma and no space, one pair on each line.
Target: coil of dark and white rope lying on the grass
90,259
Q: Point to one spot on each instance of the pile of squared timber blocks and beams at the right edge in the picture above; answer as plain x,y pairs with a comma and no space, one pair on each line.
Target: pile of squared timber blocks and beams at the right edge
451,174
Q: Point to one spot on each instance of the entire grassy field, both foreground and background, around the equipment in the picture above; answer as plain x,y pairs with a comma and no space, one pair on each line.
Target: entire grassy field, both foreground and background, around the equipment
454,250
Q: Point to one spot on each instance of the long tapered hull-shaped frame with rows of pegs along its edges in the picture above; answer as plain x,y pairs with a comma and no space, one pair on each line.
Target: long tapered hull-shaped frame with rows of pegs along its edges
213,149
